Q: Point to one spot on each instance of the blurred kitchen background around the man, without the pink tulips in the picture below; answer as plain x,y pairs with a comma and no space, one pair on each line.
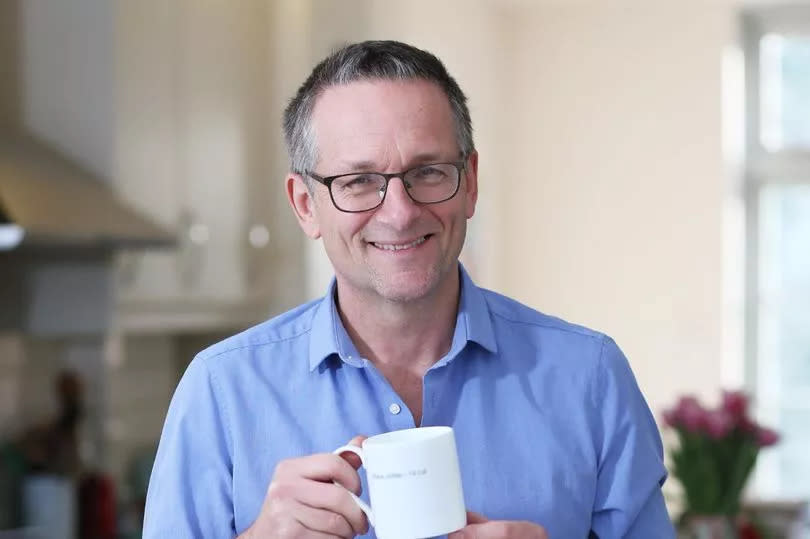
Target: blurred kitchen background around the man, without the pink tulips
645,170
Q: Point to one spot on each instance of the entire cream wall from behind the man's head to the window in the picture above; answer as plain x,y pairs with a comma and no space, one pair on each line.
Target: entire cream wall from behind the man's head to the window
601,171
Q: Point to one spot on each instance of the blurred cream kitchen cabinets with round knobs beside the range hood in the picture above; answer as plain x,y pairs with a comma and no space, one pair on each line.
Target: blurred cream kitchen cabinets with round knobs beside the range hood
198,148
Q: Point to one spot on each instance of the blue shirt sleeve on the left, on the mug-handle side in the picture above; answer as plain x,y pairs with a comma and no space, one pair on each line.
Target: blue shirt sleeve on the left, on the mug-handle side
190,490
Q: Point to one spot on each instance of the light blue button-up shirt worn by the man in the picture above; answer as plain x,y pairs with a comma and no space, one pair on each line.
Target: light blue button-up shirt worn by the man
550,424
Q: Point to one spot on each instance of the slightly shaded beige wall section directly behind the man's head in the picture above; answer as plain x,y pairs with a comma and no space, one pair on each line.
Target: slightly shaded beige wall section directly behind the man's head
472,39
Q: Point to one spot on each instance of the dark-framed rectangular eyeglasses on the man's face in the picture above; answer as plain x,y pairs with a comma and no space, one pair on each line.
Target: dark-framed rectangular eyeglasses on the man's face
364,191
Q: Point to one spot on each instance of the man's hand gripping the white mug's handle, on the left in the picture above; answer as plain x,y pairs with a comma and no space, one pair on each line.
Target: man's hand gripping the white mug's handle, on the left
303,503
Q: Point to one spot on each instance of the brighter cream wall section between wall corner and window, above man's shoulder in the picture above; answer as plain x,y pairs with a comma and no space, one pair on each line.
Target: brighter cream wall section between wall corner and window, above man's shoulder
616,221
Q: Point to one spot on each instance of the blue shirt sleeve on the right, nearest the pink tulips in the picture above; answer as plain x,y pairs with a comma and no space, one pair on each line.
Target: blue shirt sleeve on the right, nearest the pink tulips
628,501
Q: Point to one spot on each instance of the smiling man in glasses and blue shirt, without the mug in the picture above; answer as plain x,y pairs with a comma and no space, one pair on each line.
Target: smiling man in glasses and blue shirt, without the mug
554,436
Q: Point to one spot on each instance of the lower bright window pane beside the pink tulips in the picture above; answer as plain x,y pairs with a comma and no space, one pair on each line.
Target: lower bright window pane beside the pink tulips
783,370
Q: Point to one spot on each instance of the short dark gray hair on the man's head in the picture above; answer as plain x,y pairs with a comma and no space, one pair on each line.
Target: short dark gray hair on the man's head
369,60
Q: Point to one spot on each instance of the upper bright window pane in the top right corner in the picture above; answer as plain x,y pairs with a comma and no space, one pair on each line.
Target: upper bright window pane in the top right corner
785,92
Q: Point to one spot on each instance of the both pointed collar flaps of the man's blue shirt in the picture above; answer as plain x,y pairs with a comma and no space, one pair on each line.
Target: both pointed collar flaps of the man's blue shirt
328,336
